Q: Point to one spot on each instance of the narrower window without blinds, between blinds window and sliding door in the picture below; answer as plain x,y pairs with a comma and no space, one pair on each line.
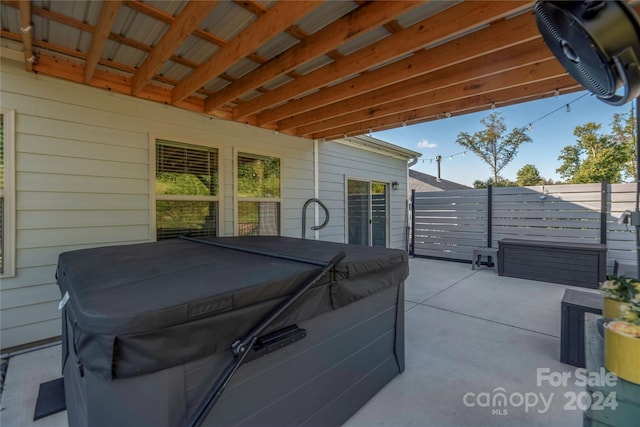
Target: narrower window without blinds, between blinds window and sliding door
258,188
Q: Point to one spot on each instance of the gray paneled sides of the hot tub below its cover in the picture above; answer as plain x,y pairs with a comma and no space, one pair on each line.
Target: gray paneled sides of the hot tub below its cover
348,355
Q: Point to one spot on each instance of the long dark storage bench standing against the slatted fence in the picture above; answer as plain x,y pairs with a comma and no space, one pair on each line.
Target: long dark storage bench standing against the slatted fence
577,264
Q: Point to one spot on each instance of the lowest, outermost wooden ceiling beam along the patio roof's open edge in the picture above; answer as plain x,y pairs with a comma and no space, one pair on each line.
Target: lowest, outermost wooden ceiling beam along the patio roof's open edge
462,105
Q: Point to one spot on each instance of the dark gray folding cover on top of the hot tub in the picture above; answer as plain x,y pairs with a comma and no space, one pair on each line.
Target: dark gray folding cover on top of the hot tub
137,309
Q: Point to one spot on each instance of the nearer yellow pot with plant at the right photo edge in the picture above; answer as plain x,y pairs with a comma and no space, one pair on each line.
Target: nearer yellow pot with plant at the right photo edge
622,341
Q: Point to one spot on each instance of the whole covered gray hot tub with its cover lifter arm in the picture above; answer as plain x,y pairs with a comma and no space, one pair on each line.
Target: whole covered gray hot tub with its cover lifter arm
147,329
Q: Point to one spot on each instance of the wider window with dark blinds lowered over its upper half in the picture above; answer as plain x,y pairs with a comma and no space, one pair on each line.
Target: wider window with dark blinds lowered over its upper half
186,196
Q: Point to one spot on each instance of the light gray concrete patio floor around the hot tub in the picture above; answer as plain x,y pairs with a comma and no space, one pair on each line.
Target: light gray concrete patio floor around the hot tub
470,336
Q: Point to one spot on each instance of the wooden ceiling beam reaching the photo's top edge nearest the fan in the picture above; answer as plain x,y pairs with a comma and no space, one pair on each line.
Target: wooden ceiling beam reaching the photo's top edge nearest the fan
452,21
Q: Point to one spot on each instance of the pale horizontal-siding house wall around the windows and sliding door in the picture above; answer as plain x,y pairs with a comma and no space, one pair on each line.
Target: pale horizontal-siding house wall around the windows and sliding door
83,179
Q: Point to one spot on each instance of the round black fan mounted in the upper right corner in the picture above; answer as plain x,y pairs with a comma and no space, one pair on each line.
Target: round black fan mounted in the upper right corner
597,42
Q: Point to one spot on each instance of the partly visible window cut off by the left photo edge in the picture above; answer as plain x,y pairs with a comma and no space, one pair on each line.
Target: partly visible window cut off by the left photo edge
7,194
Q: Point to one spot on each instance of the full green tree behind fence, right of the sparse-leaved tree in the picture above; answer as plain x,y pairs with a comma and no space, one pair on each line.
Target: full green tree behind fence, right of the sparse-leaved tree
595,156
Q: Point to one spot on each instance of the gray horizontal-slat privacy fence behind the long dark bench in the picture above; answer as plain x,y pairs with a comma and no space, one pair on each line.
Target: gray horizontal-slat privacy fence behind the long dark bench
450,224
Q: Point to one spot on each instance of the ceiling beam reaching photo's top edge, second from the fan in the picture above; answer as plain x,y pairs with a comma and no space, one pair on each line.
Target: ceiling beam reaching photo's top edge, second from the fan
353,24
